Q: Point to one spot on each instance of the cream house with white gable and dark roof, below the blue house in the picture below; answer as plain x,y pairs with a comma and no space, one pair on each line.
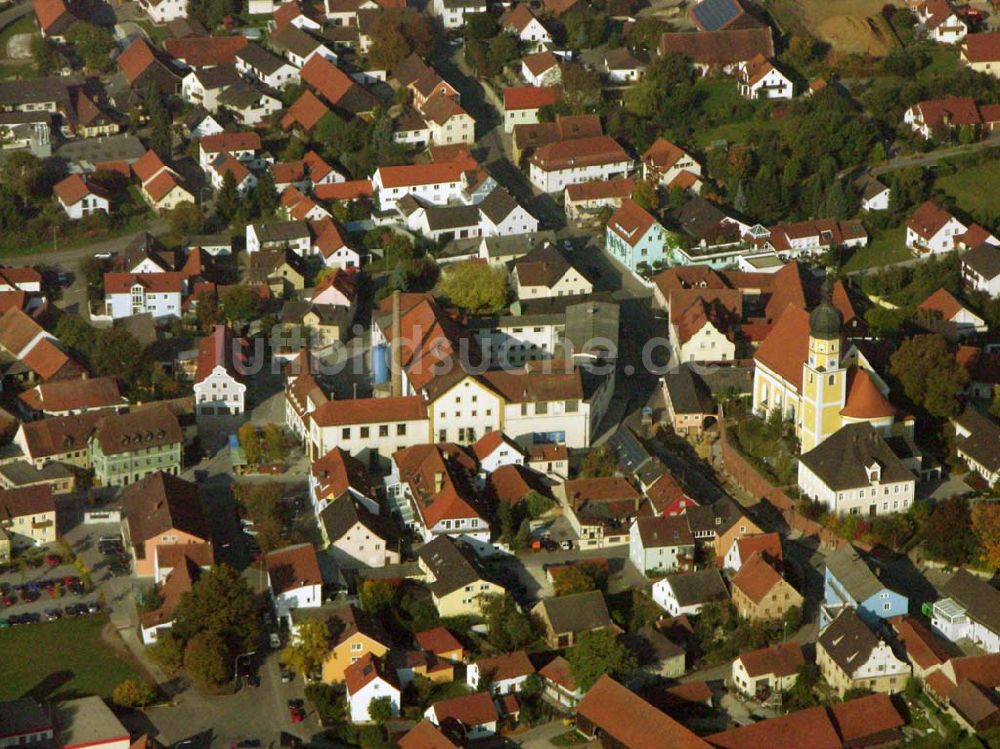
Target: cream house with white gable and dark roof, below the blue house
851,656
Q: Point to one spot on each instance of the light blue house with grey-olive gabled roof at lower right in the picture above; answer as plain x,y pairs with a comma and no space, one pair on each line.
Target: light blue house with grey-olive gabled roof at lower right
849,581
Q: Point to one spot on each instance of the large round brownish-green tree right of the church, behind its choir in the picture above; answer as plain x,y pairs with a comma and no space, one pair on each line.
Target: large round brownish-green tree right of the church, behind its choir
929,373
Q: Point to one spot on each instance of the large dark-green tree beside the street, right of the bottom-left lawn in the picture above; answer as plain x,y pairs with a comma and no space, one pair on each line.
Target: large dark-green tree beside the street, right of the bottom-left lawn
222,604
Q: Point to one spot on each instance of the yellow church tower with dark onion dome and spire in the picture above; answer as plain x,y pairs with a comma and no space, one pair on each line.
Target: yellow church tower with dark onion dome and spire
824,378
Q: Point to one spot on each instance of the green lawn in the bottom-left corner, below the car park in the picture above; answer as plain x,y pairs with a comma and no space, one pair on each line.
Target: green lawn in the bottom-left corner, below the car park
61,659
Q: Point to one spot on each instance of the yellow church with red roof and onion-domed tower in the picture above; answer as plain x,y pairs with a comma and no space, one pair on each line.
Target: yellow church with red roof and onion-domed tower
817,381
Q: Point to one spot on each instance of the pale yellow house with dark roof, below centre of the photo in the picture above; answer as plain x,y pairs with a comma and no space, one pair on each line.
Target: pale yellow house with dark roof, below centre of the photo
455,580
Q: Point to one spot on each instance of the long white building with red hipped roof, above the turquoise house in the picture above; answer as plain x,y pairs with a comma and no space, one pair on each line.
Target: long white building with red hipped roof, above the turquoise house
555,166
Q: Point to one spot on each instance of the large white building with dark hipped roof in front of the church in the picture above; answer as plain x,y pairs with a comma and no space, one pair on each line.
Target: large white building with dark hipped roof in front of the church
855,471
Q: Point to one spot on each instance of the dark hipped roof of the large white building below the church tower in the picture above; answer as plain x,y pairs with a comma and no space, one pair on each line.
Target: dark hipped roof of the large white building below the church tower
840,460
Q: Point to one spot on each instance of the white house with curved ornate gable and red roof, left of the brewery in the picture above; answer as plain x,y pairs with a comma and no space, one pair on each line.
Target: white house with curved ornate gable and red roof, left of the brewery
218,385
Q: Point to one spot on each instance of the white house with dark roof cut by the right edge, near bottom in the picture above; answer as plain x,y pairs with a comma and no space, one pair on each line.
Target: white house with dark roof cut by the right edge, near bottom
968,610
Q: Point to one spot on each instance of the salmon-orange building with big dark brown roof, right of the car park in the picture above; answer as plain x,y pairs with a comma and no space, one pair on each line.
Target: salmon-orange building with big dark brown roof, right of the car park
162,512
